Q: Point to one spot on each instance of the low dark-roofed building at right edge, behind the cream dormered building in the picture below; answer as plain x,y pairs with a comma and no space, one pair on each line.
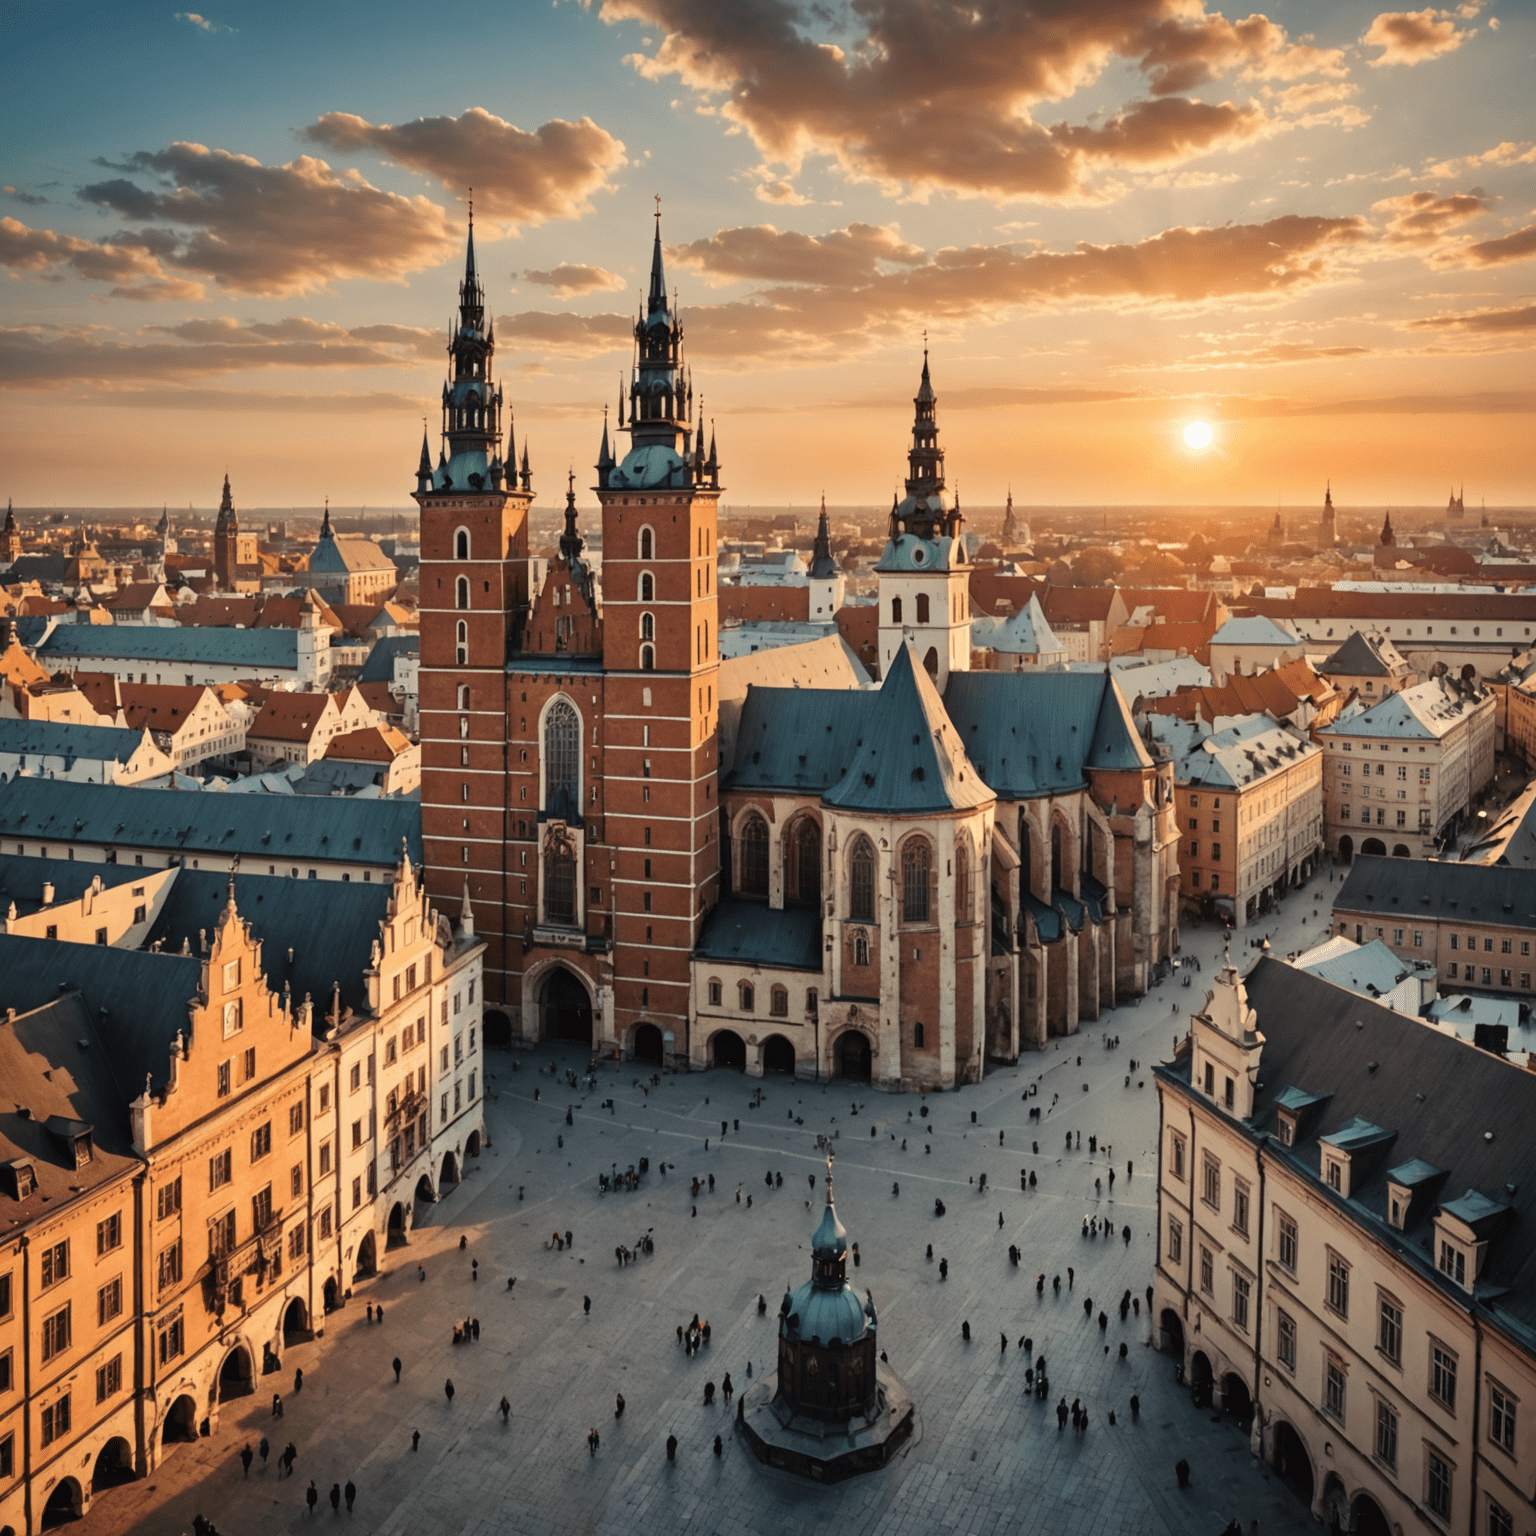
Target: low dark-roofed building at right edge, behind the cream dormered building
1472,922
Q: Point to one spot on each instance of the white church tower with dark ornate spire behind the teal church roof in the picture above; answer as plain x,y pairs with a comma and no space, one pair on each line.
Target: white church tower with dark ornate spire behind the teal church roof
924,575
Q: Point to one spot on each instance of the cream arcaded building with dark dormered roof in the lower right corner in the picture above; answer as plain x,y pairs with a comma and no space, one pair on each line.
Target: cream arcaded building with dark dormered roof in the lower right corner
1345,1253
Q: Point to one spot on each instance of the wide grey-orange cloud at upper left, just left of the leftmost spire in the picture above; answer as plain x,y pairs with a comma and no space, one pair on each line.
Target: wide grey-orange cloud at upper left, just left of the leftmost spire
273,230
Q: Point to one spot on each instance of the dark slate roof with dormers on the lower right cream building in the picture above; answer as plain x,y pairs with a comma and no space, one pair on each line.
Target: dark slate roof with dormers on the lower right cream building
1437,1094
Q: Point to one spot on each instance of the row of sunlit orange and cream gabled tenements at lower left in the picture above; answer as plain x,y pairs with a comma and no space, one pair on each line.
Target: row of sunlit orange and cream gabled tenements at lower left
211,1142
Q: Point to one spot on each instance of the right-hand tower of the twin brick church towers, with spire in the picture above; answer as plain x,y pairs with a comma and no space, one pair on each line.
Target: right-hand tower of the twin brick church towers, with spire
661,666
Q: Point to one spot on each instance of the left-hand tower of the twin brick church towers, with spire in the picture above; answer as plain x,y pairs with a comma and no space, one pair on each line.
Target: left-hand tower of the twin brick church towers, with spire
474,601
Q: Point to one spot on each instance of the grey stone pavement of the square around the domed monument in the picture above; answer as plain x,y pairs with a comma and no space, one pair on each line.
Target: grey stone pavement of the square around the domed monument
984,1457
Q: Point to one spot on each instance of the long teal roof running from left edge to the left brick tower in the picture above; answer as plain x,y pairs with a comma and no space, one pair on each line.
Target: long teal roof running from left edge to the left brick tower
262,829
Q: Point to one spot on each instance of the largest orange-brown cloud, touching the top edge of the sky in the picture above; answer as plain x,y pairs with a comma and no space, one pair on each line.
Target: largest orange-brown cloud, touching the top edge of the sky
939,96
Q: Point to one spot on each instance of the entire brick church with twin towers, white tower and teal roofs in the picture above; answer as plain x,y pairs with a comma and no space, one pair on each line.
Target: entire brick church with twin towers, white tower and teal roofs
887,886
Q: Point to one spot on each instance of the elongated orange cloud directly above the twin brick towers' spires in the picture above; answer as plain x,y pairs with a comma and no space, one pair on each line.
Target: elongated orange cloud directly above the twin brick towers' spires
518,177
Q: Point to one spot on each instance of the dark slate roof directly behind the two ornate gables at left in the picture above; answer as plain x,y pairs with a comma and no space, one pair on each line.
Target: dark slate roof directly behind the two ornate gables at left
329,929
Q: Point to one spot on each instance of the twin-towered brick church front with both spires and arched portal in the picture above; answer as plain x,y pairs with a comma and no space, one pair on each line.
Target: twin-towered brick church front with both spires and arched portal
569,737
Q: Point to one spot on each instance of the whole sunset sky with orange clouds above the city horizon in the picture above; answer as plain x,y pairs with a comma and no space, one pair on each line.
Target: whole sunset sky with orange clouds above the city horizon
233,242
